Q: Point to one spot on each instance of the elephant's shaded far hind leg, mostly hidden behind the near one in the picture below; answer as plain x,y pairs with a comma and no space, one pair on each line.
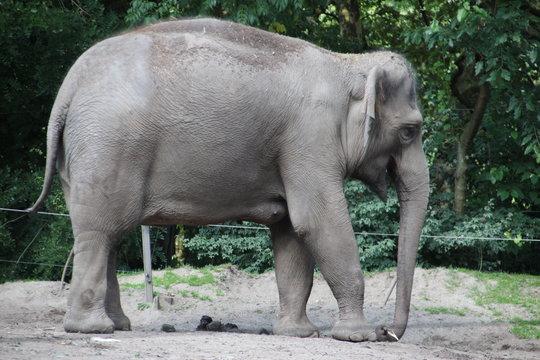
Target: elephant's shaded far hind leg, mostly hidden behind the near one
113,307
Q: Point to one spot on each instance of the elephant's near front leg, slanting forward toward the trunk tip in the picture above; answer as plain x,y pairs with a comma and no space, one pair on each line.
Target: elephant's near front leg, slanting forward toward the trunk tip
320,218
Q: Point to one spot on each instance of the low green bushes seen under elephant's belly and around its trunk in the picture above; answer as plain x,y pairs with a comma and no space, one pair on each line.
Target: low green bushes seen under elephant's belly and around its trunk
446,241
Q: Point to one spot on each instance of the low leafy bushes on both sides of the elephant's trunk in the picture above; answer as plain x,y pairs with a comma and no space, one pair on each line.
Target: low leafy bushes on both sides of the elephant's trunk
448,240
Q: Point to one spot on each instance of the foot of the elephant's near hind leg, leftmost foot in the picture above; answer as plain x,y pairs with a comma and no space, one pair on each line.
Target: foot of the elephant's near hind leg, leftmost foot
88,322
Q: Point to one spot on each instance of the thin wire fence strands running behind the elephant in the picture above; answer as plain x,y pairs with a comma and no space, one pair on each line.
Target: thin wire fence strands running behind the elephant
258,228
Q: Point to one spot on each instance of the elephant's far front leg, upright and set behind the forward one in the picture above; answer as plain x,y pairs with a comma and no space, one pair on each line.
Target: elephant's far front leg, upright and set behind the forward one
294,276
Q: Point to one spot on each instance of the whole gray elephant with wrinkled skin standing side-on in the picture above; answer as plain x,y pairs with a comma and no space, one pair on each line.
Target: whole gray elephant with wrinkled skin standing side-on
202,121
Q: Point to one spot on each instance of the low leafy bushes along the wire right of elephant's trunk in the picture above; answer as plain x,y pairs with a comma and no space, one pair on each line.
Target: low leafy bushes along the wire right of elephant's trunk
452,244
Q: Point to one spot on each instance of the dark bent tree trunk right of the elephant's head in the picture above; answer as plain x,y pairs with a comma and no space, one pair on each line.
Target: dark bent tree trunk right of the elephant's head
464,141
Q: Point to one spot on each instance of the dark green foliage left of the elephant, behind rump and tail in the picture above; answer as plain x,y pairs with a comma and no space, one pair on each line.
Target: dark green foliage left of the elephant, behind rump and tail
40,39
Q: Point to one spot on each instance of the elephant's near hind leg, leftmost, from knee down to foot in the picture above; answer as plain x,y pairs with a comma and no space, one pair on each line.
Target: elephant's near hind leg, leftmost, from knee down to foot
86,302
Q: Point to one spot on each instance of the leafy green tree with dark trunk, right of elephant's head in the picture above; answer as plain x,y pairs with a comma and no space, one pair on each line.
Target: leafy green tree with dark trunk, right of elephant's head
493,47
